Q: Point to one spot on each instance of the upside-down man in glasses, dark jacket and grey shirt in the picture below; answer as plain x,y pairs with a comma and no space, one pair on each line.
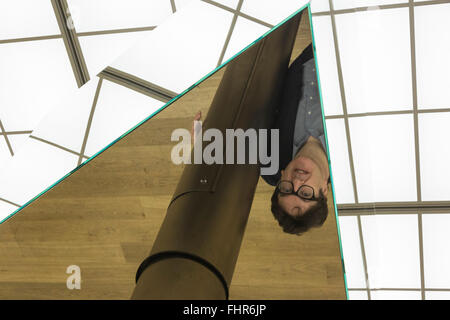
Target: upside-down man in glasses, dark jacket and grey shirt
299,201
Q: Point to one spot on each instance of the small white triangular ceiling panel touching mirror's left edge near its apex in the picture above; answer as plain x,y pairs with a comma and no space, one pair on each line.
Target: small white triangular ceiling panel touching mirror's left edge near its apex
245,32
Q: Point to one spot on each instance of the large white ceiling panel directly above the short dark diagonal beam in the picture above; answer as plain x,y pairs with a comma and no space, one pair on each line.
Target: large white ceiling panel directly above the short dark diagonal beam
187,49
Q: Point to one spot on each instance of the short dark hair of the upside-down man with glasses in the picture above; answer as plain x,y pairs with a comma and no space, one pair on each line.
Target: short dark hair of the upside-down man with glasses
314,217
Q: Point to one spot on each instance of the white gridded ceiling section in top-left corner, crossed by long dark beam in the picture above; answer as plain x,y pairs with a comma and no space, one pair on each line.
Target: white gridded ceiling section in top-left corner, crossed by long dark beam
42,59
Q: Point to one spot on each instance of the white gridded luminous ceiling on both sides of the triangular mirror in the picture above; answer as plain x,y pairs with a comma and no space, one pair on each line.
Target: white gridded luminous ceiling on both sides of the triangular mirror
384,94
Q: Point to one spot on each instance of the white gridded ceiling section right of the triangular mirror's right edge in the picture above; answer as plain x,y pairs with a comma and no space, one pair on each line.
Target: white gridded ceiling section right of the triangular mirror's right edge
384,72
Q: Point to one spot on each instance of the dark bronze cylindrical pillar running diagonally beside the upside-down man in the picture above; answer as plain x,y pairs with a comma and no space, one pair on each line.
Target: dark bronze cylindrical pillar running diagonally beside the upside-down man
196,249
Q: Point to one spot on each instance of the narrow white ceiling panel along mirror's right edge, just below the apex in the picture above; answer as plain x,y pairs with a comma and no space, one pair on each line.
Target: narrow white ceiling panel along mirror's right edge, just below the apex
326,60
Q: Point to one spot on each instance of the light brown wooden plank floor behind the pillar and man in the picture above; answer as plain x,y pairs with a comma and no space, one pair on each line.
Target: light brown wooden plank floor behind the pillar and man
104,218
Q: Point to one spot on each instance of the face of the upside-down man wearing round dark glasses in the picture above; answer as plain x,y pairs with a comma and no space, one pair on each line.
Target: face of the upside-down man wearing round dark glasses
302,171
